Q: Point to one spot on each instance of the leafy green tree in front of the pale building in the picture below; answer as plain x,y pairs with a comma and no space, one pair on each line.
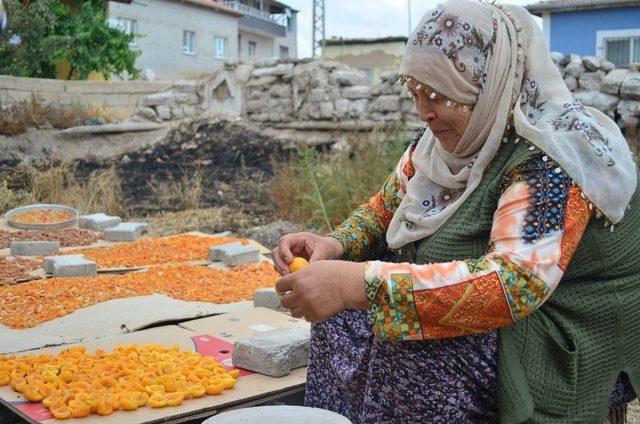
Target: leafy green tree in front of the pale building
43,33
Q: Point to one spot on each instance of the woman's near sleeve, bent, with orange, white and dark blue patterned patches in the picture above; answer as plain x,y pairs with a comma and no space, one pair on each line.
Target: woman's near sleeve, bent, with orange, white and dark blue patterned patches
539,222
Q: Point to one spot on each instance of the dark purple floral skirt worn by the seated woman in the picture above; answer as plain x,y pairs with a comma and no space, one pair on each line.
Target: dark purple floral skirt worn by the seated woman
439,381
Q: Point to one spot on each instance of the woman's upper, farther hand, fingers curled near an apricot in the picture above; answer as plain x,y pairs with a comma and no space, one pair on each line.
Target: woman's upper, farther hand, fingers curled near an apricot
306,245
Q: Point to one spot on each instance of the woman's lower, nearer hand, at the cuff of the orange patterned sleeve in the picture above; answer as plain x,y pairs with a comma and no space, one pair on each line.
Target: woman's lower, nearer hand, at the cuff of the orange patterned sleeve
323,289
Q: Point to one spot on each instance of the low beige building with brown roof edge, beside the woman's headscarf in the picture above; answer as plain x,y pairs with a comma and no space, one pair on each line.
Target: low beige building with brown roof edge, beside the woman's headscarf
373,56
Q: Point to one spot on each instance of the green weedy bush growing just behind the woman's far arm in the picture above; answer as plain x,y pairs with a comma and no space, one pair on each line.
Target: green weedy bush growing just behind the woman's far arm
321,190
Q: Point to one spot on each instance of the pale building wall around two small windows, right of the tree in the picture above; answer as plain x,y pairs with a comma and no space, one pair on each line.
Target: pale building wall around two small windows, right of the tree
162,22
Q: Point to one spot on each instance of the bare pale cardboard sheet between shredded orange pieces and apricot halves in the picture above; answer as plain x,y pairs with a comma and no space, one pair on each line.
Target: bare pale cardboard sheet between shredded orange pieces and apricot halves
117,316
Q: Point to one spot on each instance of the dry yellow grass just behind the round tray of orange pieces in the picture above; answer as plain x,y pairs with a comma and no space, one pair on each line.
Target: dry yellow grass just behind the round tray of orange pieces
57,183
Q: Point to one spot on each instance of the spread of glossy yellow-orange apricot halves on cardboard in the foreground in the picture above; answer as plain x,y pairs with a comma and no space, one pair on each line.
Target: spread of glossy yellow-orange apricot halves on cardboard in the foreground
77,383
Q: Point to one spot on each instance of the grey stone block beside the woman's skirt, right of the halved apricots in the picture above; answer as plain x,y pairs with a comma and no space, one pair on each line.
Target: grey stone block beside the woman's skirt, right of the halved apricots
274,352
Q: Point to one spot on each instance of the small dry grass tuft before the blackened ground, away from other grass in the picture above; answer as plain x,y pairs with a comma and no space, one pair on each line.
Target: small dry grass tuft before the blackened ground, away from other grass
183,194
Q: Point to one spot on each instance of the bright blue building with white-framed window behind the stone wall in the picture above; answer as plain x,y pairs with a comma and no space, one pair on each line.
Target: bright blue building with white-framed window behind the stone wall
609,28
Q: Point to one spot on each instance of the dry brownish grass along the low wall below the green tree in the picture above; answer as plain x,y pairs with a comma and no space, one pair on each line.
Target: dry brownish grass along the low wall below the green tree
16,117
